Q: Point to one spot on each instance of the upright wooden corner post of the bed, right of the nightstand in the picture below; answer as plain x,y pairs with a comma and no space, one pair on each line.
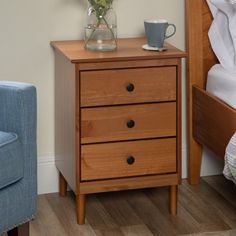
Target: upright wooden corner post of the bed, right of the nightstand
195,77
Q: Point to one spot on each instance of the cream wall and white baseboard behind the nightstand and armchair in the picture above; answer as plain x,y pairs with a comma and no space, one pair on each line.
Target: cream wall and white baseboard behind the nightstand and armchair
28,26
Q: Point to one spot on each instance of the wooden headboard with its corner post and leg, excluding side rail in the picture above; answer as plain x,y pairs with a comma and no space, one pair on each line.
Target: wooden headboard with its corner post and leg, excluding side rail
200,59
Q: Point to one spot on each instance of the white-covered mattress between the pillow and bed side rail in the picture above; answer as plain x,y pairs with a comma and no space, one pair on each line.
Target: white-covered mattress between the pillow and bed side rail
222,84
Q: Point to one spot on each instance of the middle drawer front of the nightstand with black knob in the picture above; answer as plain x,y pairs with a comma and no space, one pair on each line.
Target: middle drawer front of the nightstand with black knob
117,123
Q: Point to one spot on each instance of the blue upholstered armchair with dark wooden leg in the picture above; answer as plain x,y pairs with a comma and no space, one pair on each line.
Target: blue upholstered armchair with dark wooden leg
18,170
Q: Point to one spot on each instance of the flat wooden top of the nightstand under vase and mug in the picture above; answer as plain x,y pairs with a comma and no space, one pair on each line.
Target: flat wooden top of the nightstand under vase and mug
128,49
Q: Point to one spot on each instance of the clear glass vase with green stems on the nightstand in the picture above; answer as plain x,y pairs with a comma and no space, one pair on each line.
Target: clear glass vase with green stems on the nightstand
101,29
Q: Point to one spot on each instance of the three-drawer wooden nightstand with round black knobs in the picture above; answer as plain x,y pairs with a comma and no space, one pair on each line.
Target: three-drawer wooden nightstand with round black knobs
118,119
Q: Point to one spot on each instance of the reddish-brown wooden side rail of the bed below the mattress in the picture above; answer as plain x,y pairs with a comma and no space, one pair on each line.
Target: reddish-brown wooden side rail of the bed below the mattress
214,122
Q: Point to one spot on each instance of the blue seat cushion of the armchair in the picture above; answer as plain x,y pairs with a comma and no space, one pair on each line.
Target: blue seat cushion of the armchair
11,159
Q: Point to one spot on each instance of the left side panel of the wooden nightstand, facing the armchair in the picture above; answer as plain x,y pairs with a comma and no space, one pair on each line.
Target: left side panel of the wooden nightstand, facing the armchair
65,117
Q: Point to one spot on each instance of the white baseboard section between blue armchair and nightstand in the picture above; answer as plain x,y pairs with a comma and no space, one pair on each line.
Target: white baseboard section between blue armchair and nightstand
47,175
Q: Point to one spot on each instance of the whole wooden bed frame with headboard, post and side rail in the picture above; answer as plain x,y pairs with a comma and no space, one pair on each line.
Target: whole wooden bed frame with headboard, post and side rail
210,122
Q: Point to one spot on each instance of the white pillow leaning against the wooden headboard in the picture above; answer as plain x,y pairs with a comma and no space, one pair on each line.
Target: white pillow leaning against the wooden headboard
222,33
